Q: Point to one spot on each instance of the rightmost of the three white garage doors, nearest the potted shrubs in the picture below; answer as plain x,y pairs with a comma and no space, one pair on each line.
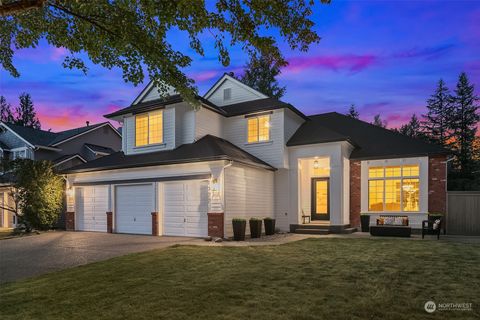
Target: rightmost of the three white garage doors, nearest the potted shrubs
185,208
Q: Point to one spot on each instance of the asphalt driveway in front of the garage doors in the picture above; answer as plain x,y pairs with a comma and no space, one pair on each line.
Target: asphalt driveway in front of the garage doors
30,256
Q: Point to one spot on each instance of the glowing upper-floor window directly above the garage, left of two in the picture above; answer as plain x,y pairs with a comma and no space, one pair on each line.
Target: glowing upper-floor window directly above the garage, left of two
149,128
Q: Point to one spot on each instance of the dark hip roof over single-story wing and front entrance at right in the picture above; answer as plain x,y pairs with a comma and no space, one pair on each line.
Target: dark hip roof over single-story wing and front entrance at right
369,141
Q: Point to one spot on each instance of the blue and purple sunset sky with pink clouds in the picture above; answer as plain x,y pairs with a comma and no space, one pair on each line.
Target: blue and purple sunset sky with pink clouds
383,56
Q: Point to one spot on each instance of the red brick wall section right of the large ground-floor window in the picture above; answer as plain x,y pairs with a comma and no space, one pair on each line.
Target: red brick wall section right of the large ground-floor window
437,184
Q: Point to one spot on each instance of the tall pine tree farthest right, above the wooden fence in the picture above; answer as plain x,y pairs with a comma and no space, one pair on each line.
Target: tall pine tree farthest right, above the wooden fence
464,122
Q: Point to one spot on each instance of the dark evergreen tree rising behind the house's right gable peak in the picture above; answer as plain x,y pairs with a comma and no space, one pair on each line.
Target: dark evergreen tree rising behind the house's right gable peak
260,73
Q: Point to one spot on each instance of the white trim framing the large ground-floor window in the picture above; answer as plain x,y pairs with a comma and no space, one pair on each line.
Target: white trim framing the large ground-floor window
423,177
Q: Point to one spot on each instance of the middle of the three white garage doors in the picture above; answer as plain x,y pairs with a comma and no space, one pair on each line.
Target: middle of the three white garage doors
133,208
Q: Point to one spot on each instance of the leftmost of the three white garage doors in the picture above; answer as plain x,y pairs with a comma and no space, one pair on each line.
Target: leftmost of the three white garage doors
91,207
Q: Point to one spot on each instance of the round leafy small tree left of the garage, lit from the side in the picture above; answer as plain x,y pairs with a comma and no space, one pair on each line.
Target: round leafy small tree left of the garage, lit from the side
37,193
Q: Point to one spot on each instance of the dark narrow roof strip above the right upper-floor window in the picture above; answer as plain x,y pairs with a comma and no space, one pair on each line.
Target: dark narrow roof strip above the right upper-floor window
258,105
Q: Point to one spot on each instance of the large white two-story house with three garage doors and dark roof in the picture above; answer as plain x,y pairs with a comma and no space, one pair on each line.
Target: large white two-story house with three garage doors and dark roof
188,171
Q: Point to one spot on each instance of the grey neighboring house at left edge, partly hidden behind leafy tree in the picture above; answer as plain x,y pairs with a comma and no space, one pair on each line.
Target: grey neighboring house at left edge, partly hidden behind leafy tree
65,149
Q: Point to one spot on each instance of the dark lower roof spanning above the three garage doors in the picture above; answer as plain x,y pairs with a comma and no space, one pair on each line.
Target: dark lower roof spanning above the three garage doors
208,148
